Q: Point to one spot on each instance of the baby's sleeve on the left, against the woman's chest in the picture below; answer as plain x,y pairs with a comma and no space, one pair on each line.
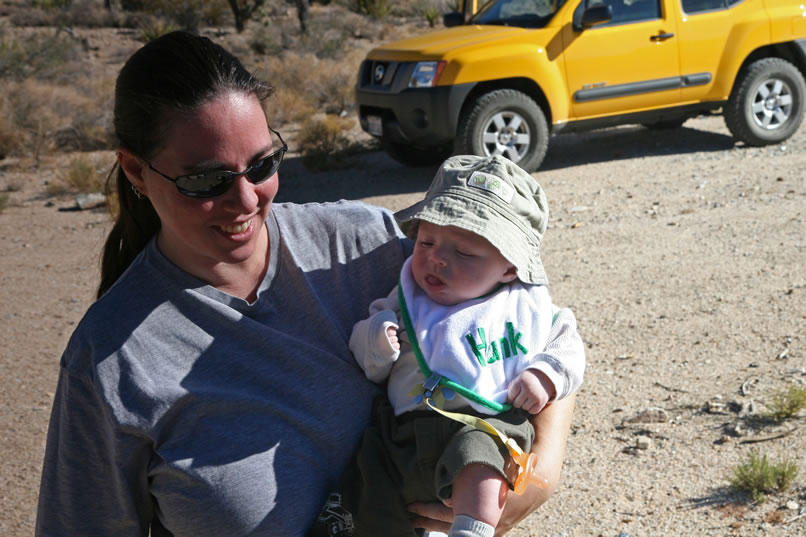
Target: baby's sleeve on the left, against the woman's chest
369,343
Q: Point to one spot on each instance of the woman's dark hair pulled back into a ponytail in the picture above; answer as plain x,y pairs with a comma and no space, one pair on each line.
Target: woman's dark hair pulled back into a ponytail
173,74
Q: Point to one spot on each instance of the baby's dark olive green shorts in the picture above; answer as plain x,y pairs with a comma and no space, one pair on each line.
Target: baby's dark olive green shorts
415,457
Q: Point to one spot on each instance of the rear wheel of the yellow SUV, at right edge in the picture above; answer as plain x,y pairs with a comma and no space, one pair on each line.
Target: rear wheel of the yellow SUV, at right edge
766,104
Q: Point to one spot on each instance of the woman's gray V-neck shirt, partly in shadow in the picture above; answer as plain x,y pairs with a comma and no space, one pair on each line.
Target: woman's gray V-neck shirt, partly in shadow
184,411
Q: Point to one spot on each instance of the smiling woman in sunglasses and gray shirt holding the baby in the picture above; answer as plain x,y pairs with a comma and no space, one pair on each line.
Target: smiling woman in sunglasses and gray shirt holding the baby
210,390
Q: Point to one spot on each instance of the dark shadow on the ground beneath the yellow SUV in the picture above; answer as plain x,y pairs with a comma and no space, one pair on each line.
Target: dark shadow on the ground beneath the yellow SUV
374,173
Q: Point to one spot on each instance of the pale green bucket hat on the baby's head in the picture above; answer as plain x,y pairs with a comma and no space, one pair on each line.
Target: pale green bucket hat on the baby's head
492,197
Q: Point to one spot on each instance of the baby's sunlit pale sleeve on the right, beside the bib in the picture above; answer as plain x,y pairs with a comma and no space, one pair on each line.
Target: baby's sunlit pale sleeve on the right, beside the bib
563,360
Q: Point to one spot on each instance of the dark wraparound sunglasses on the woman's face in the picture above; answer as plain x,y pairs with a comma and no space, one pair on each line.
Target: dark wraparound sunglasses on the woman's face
216,182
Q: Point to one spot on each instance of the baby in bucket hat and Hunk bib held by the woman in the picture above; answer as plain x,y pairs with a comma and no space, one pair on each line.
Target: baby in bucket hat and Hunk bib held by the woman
478,322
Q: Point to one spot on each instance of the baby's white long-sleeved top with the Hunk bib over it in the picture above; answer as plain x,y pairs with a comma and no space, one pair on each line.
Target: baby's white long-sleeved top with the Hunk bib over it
483,344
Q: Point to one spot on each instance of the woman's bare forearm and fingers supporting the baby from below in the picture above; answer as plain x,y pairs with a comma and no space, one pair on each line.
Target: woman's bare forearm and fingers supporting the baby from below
552,426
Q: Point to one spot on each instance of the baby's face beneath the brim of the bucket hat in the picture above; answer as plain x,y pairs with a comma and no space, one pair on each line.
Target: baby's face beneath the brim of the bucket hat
453,265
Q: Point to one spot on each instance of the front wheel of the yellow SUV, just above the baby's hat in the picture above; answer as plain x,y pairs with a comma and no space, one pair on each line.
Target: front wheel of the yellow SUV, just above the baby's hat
505,122
